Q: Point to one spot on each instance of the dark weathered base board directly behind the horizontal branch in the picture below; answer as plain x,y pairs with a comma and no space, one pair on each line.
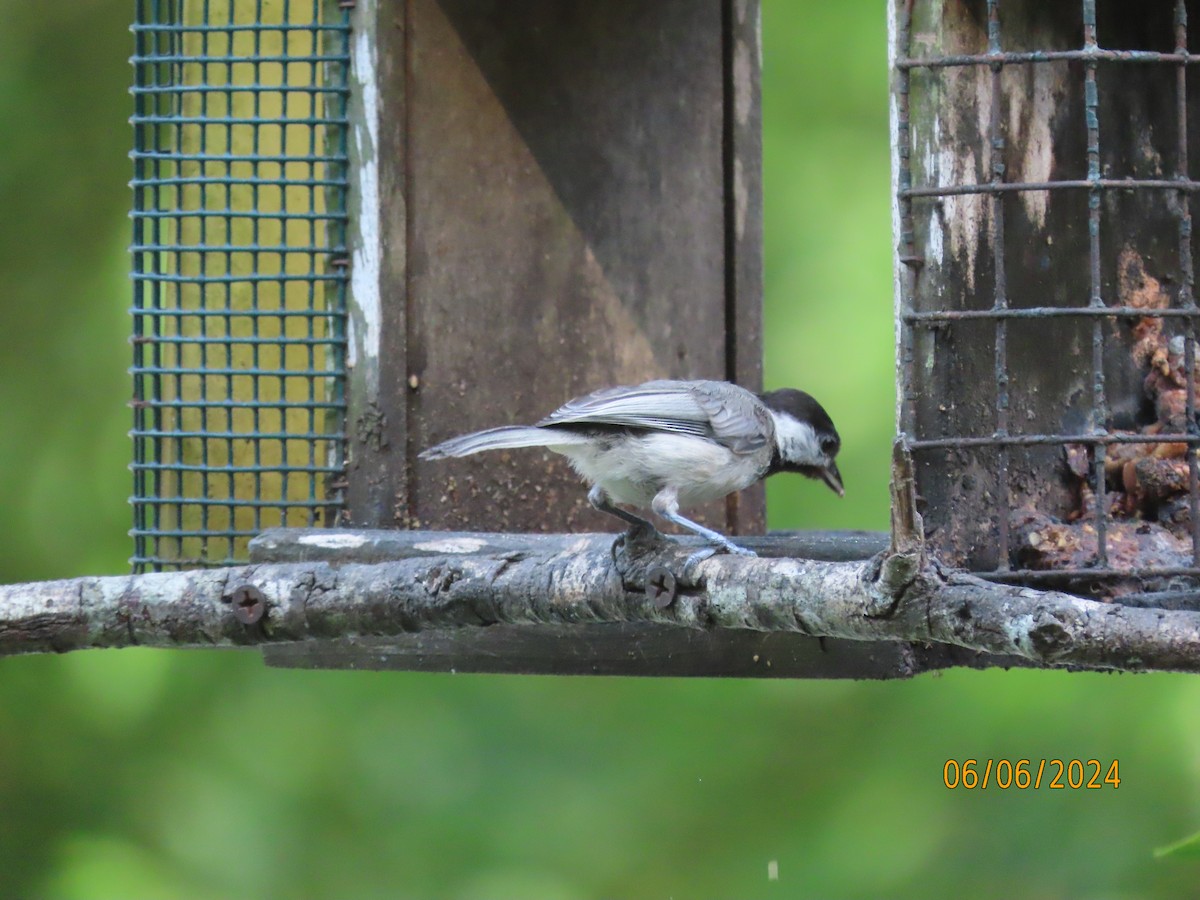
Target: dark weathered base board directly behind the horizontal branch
628,650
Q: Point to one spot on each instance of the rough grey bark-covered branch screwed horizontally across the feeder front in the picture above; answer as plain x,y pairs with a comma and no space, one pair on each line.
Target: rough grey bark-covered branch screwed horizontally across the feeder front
464,581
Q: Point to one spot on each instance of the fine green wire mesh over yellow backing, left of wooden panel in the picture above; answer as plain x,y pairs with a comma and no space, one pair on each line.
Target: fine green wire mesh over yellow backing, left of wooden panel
239,273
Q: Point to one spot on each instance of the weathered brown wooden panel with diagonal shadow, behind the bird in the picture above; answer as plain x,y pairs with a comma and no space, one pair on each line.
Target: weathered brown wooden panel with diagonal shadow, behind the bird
549,197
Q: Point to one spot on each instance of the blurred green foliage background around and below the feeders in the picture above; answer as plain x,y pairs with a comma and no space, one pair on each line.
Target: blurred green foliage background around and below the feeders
152,775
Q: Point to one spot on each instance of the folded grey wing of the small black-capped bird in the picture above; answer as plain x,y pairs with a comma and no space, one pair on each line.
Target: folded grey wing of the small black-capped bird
711,410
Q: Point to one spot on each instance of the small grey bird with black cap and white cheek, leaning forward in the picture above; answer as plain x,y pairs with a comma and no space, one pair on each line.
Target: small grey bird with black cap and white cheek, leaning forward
670,445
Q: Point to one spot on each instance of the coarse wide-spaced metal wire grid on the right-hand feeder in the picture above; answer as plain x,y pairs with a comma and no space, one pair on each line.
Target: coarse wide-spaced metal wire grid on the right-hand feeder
1177,191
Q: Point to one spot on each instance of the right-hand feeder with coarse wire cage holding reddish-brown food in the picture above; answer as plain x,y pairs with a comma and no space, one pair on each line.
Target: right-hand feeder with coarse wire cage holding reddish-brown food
1046,286
